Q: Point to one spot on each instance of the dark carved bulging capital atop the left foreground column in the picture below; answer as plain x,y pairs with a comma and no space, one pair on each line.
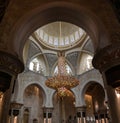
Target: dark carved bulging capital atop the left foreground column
10,63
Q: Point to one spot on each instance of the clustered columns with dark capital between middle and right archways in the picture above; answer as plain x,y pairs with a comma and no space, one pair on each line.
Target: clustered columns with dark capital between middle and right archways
81,114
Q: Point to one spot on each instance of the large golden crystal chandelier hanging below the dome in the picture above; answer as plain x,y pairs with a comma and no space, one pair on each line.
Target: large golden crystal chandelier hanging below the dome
62,82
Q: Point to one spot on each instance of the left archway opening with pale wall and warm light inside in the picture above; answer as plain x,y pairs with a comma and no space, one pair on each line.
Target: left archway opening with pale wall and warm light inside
34,99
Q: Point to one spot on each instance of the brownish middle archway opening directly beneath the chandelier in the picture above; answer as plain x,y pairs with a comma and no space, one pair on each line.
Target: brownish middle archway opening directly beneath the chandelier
64,107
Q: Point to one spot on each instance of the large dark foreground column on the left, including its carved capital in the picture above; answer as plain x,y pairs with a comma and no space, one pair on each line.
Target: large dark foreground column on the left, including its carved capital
10,66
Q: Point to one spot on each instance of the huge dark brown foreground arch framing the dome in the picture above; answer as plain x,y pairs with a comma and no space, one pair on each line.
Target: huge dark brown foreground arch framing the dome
54,11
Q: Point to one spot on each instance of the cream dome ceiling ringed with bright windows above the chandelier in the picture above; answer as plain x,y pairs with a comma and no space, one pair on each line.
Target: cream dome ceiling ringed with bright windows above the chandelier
60,35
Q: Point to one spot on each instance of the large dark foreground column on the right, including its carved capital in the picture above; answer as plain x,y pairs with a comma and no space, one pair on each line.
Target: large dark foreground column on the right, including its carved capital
107,61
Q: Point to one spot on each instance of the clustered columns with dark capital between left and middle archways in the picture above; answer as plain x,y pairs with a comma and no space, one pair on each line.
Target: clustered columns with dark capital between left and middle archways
47,115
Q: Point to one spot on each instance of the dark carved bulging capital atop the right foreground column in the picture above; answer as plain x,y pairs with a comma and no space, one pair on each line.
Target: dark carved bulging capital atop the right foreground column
107,57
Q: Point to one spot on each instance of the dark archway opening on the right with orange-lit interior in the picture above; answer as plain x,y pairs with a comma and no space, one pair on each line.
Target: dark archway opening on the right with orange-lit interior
94,96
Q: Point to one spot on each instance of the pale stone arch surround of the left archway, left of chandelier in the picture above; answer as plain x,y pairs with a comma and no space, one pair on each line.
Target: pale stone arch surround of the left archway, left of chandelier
27,78
